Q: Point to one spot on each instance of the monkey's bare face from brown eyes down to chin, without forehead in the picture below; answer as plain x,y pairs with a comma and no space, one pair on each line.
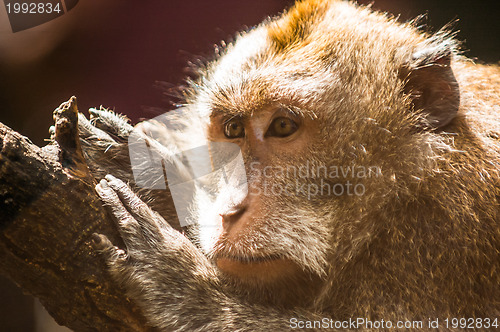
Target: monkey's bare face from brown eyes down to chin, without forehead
258,230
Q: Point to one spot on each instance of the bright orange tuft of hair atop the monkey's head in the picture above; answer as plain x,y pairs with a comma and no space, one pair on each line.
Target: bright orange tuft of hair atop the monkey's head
295,24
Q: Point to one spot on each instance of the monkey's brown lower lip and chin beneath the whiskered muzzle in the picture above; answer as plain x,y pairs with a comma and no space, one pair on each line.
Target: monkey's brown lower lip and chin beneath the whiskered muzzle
262,272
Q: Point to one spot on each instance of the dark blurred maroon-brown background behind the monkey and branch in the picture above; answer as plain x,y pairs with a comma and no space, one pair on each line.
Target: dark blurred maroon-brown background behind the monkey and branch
125,54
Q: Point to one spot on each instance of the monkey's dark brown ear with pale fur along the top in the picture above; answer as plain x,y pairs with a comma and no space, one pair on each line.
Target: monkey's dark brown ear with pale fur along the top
432,87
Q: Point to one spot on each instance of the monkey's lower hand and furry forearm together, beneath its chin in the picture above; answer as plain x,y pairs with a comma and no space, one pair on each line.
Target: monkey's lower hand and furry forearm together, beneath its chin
176,286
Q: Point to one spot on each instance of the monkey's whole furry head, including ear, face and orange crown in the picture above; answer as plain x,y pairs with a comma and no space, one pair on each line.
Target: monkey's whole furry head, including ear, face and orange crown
332,106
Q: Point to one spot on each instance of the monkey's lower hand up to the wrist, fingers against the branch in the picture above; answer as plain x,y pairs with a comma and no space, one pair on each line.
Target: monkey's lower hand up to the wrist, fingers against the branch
161,270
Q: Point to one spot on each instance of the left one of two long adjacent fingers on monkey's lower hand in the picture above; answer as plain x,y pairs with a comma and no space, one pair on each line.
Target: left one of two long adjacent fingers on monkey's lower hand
126,222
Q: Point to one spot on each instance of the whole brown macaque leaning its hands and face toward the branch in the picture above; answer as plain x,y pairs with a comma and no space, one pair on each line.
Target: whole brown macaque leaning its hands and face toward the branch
371,153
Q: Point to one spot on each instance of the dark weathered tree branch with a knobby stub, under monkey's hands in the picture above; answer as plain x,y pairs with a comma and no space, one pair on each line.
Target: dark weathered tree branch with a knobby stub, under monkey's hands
48,213
